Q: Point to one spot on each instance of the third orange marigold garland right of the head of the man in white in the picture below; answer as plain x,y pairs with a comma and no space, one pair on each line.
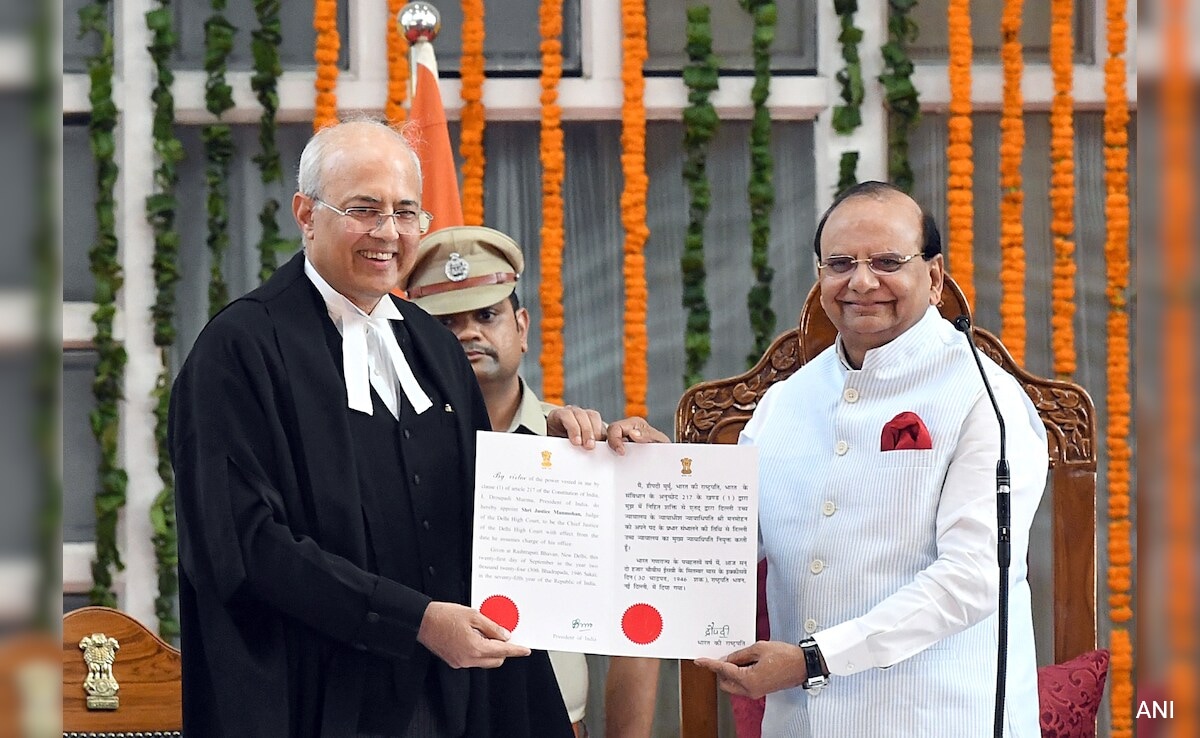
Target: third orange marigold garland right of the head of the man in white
1063,190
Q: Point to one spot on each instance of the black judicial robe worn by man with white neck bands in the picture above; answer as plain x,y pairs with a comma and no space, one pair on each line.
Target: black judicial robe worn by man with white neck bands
279,609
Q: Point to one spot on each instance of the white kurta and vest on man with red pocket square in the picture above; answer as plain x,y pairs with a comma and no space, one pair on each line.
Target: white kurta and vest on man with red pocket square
889,559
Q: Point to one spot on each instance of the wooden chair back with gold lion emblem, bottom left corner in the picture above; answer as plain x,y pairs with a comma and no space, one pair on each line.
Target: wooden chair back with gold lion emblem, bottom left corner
118,679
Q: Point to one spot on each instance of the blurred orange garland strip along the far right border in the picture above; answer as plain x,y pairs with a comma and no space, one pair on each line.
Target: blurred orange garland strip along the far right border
1179,362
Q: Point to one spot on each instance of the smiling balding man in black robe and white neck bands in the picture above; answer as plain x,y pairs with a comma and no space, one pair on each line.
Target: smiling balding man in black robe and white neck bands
322,435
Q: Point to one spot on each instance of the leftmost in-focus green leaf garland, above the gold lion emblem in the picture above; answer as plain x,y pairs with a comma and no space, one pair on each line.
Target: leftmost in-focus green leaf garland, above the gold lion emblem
106,269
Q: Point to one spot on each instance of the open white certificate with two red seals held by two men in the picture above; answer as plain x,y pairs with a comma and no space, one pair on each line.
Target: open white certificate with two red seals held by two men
653,554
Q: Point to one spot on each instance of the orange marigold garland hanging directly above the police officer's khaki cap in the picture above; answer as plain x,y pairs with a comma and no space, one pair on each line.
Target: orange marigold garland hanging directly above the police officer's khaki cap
472,141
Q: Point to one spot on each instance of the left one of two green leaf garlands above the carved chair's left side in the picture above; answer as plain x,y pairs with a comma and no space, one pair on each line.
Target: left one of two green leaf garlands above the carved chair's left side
700,124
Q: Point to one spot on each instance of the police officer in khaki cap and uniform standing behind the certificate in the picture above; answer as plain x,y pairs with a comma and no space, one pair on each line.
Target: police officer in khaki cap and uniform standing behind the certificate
467,277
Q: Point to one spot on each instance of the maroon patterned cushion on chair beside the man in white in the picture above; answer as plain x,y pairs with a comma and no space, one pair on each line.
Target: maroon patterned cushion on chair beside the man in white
1070,695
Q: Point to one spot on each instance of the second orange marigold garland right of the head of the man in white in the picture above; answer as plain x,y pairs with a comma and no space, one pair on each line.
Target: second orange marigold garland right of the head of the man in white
1012,199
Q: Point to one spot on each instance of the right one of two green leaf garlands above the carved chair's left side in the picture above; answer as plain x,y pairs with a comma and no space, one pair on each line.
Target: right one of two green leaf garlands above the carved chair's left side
761,190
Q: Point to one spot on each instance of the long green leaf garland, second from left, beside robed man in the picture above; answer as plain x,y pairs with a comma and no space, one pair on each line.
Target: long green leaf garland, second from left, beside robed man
161,208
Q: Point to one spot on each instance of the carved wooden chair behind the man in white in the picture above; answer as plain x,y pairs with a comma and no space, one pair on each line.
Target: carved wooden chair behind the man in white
716,412
